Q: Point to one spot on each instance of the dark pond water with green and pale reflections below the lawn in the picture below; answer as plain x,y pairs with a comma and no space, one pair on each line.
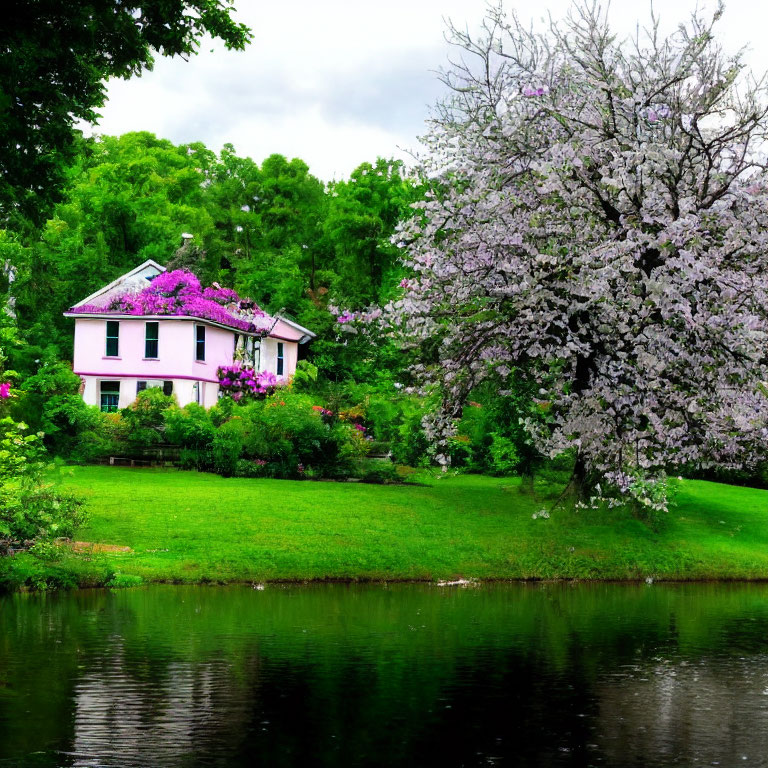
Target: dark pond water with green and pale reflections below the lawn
374,676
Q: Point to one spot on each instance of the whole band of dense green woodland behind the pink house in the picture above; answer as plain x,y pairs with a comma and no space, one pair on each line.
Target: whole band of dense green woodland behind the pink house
270,231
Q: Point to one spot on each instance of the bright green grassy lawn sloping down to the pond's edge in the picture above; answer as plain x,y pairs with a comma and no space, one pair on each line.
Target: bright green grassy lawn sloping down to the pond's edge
149,525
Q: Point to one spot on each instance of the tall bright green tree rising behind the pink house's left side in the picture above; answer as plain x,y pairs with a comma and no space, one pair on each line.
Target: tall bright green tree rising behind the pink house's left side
128,199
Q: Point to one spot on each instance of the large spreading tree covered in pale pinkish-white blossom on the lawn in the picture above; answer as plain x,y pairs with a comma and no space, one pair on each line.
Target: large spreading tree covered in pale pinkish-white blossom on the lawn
598,220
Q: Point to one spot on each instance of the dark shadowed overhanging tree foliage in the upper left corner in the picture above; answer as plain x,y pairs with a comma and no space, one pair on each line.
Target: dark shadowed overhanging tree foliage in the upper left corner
55,57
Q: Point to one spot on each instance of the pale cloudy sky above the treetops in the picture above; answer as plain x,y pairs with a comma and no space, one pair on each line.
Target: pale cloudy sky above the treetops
339,82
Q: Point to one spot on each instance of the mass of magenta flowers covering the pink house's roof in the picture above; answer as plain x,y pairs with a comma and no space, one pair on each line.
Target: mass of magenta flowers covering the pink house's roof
179,293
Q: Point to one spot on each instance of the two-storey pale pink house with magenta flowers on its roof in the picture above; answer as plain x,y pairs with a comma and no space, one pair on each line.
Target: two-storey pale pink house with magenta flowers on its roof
136,333
